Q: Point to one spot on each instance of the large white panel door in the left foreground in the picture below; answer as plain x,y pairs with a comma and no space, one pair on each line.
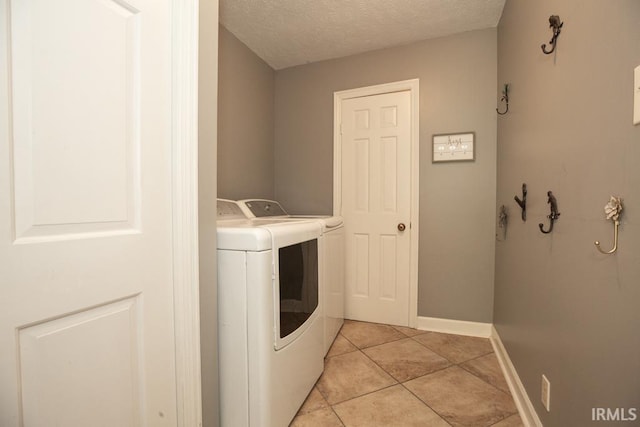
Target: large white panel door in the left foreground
86,294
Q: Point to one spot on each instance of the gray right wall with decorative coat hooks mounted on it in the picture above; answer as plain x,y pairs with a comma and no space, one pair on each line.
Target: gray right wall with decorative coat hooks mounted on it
562,308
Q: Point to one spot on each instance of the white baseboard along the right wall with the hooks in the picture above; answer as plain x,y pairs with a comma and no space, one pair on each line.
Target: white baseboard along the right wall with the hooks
521,398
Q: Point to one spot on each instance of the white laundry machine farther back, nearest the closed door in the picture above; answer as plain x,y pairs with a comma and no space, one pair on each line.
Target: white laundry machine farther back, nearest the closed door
333,268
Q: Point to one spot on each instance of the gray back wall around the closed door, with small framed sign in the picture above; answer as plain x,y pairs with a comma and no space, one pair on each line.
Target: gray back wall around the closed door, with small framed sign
457,200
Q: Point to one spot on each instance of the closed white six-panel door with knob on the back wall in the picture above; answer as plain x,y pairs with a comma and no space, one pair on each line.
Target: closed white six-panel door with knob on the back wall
376,205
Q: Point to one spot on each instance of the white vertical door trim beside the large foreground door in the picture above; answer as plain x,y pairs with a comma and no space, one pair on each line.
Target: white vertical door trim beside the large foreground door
184,136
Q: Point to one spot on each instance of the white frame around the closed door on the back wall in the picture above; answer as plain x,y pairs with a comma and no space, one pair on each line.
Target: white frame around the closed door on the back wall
413,86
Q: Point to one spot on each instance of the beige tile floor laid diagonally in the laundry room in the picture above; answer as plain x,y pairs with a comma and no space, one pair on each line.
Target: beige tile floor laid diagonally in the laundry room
380,375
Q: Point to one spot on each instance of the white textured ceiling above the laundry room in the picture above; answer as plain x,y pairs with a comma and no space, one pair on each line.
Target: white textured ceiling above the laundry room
285,33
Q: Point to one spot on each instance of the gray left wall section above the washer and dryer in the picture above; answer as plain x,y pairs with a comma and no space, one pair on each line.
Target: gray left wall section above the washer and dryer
245,117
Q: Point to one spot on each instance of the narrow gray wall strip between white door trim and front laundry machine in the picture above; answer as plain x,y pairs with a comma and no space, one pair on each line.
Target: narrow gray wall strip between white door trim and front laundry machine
207,165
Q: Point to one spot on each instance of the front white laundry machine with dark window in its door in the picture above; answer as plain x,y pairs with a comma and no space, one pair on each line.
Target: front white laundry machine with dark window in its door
270,327
